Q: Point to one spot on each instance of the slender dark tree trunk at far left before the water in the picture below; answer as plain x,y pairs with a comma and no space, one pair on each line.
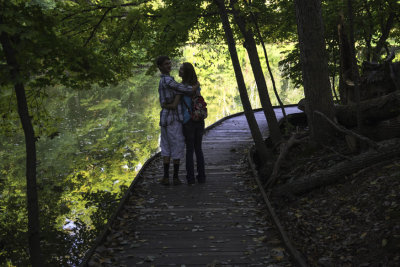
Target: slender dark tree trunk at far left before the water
30,142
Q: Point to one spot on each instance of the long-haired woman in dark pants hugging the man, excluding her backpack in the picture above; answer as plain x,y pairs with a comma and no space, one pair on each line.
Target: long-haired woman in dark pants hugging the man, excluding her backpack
192,130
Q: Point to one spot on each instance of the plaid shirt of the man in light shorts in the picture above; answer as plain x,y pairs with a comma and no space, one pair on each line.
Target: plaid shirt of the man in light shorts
167,89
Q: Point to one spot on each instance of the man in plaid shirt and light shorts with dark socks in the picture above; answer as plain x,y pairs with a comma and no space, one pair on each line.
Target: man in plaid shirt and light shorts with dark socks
172,139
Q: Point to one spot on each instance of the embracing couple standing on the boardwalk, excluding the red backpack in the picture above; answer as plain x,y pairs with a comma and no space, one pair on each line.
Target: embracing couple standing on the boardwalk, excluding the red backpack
177,127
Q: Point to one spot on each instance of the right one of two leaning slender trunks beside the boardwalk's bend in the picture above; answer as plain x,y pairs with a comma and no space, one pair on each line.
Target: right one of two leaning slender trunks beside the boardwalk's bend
251,47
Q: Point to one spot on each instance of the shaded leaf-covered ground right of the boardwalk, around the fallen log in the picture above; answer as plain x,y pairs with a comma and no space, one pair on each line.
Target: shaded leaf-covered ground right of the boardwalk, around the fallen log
352,223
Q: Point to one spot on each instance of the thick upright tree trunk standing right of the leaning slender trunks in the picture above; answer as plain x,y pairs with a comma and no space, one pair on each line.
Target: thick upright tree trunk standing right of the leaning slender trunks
314,67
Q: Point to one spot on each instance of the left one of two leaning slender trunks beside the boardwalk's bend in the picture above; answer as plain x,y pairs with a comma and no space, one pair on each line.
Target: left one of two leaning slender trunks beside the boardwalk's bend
261,148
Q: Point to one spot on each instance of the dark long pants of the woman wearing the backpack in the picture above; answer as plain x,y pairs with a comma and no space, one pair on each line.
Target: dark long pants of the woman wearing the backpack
193,132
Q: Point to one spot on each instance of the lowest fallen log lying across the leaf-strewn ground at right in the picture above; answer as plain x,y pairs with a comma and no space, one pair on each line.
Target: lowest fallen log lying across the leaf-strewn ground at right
386,151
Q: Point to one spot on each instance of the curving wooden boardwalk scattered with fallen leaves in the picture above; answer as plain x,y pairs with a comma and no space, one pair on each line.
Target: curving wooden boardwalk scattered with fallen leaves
217,223
